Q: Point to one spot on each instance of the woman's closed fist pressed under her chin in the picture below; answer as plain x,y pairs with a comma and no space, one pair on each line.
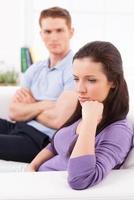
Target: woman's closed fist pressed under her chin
92,110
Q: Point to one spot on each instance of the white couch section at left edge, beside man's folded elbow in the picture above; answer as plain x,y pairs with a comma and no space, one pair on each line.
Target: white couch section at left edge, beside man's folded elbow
6,94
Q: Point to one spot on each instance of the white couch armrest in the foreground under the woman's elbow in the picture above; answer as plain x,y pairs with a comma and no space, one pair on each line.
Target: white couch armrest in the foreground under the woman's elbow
118,185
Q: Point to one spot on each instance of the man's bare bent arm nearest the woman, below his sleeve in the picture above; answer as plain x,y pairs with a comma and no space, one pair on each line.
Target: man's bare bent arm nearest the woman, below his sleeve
56,116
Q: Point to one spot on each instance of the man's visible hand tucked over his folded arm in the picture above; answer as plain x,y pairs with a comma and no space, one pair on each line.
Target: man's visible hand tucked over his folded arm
24,95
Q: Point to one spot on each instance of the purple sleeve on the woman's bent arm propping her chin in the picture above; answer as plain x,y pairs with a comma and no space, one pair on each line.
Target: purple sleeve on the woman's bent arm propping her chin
111,150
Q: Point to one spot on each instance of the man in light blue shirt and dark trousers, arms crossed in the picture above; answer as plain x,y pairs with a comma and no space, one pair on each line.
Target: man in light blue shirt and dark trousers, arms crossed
46,100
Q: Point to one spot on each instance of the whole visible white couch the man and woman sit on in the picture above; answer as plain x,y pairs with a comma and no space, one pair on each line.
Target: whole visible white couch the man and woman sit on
118,185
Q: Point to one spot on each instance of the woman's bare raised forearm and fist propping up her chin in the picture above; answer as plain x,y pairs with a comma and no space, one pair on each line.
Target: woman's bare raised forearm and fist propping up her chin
85,145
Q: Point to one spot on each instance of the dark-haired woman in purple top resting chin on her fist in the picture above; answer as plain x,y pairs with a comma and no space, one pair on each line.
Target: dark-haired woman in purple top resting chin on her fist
98,136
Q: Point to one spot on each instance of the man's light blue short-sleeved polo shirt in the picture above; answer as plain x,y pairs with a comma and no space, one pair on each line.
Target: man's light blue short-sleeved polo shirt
48,83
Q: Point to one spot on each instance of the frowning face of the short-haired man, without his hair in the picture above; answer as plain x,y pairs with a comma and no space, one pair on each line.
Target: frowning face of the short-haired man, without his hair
56,35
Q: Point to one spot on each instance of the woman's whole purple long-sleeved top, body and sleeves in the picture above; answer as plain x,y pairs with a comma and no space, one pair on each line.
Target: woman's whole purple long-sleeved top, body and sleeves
112,145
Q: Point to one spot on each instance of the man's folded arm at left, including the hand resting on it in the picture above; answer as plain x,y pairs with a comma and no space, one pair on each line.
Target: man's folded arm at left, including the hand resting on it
24,107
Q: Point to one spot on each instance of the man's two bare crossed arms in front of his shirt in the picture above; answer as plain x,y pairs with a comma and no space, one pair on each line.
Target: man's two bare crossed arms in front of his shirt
50,113
